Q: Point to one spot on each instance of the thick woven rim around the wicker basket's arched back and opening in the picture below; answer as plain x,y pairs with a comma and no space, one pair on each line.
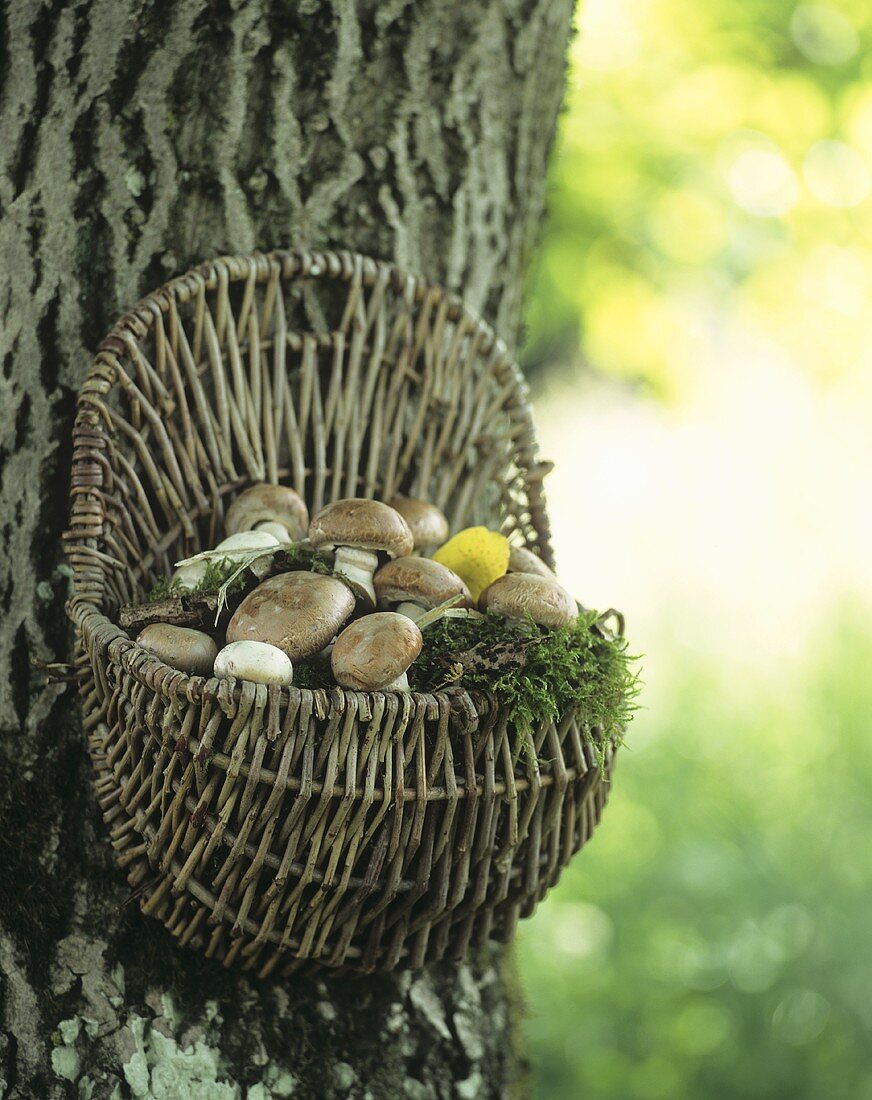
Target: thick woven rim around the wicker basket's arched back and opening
258,267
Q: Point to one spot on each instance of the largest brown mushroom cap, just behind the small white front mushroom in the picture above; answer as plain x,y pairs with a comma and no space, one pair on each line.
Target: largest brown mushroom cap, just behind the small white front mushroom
300,613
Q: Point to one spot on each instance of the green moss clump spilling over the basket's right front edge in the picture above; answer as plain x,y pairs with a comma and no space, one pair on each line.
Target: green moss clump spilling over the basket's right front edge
538,675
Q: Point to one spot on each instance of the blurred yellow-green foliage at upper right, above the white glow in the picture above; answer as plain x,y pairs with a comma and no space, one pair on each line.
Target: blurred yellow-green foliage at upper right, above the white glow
713,170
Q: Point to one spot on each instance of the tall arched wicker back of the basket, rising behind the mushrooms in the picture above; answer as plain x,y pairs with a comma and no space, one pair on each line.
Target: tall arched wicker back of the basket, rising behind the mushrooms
335,375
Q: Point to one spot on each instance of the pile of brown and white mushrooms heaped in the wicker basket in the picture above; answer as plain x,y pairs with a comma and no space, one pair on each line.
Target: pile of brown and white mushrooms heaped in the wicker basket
394,571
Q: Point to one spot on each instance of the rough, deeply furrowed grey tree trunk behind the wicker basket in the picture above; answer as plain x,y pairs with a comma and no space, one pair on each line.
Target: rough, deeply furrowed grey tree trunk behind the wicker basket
138,137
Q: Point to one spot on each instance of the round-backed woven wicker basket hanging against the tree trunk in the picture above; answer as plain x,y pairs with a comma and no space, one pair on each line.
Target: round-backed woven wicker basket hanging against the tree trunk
286,829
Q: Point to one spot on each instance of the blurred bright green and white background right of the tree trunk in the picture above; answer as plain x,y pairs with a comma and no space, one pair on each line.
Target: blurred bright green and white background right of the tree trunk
699,343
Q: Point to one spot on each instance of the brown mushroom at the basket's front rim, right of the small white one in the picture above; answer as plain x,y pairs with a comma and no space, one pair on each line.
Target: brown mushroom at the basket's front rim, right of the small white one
374,653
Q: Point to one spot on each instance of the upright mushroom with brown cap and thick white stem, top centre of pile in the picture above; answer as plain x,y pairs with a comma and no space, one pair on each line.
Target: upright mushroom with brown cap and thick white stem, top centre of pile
359,530
